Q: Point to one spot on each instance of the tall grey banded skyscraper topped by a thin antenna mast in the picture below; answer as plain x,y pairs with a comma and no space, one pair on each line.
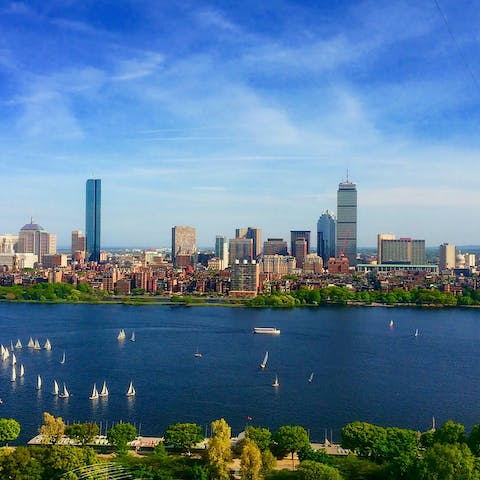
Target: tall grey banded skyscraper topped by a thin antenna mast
346,244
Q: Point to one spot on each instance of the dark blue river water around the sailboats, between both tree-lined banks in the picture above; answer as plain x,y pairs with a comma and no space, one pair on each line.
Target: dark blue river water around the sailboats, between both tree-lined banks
364,370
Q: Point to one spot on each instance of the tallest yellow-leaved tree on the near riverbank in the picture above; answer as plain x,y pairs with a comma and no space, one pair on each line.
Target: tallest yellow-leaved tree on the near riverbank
219,452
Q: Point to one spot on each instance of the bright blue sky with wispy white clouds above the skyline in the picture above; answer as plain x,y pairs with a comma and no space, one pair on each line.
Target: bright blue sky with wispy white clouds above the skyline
226,114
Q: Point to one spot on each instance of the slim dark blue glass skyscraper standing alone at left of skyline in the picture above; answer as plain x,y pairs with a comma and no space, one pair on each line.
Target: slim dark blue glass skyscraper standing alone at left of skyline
92,218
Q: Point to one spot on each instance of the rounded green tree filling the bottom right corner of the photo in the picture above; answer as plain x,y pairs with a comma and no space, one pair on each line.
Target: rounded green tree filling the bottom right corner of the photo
448,462
